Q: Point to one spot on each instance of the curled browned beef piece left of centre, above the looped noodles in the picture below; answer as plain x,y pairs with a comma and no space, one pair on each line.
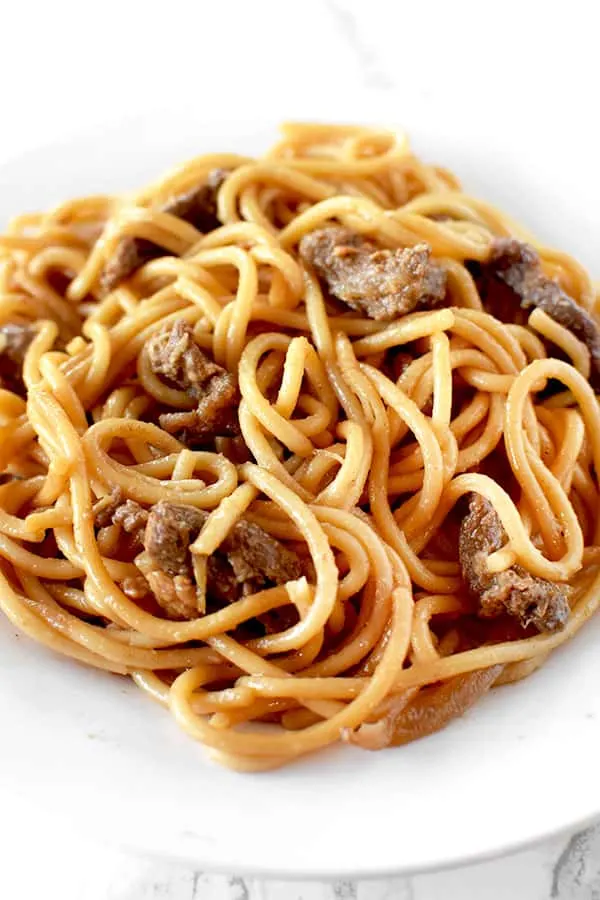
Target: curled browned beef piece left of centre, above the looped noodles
175,356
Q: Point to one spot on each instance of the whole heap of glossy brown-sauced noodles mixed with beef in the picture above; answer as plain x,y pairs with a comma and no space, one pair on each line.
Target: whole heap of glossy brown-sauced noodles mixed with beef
317,513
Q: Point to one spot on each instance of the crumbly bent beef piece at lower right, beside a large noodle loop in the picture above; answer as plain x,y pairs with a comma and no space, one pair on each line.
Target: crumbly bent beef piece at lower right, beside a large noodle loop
531,600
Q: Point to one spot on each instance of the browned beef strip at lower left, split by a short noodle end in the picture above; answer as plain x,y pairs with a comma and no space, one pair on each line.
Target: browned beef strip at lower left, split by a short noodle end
247,560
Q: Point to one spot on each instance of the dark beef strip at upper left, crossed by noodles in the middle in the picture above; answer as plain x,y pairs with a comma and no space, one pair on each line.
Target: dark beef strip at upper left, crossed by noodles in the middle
197,206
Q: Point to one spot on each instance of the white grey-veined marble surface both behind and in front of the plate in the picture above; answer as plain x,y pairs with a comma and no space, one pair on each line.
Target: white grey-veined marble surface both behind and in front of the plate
65,66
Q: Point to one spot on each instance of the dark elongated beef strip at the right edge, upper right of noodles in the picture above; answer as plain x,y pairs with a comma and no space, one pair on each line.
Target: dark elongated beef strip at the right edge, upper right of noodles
517,265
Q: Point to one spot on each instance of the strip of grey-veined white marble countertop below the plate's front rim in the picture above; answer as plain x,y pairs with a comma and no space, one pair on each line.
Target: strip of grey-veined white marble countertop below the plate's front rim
64,866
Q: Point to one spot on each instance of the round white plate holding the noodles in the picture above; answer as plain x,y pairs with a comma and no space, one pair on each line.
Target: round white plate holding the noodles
88,746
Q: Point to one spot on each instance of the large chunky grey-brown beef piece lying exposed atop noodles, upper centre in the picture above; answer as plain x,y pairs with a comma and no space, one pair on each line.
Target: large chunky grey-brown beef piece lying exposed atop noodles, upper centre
381,283
